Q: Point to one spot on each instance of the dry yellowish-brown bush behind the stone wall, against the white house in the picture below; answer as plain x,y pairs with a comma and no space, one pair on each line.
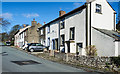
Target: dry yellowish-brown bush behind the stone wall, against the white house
91,50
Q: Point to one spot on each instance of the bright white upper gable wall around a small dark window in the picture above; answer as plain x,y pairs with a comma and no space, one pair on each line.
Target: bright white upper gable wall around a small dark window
105,20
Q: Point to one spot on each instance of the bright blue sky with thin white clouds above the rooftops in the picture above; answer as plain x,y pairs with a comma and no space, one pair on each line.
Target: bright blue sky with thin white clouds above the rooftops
24,12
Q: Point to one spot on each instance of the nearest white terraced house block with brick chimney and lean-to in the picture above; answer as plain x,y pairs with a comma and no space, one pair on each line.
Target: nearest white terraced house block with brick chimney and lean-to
93,23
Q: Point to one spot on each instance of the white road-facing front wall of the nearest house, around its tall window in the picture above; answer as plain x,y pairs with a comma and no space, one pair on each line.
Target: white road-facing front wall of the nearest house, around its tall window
77,20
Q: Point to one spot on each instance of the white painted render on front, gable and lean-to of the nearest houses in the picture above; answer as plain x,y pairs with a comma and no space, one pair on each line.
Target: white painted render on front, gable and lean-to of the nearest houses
103,42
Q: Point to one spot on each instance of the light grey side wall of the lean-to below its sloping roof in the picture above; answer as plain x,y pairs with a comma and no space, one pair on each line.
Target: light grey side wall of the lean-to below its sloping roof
105,45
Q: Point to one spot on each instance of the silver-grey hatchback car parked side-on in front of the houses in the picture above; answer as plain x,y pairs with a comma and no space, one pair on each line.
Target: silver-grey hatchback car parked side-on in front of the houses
35,47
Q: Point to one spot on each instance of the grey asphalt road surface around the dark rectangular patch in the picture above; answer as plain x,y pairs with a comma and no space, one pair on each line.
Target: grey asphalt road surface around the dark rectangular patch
12,54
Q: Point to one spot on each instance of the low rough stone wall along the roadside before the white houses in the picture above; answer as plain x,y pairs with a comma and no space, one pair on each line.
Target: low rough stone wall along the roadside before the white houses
99,62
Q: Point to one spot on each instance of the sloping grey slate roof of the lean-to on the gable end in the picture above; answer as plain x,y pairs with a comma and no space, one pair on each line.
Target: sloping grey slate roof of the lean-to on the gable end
110,33
